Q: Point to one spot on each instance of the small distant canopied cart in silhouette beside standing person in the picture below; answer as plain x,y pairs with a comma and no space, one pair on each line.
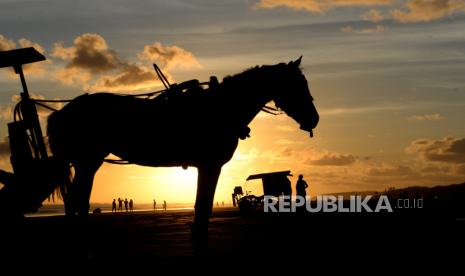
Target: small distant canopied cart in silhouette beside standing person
274,184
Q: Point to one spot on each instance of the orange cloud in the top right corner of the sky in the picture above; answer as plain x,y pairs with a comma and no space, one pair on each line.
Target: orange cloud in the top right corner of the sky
427,10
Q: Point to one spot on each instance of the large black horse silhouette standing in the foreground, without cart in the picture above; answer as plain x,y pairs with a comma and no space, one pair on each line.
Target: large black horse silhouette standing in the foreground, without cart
199,128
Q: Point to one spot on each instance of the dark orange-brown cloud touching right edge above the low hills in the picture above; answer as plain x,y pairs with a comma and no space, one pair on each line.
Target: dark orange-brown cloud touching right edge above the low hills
448,150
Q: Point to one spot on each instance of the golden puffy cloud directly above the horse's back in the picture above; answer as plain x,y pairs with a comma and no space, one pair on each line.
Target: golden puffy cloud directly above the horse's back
169,57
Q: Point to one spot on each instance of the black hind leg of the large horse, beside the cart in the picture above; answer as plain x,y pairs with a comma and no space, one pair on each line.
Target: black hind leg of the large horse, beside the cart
82,184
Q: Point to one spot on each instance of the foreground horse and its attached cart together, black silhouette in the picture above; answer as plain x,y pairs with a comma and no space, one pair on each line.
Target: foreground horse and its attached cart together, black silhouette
187,124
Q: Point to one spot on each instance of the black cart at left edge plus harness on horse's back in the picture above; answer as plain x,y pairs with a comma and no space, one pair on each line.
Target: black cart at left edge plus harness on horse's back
36,173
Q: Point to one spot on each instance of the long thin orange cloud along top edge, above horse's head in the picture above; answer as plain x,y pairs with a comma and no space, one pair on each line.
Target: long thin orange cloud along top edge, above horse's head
317,6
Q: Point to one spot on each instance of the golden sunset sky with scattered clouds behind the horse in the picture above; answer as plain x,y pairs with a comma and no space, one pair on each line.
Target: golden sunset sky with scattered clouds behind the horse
387,77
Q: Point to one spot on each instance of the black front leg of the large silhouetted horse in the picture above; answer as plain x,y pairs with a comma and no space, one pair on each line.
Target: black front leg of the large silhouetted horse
206,186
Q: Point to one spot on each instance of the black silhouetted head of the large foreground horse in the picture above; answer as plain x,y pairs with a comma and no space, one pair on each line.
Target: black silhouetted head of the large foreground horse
292,95
